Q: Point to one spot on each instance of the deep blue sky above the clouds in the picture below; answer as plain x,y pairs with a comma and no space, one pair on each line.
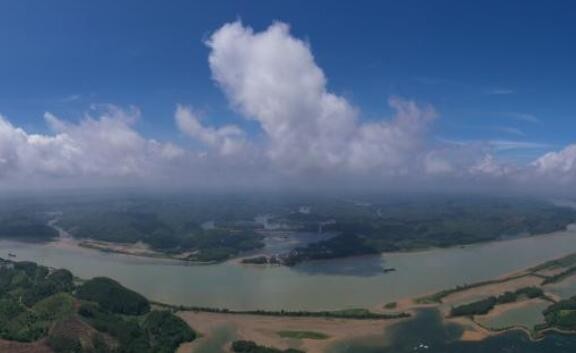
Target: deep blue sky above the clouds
495,71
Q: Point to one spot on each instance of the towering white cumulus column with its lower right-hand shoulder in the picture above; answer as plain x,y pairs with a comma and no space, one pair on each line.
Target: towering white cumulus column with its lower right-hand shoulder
271,77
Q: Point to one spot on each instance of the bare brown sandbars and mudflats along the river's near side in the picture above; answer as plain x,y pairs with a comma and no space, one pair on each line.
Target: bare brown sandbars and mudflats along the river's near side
264,329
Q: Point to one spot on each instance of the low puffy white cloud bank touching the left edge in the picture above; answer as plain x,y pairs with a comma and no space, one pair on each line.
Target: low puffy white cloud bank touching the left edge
105,145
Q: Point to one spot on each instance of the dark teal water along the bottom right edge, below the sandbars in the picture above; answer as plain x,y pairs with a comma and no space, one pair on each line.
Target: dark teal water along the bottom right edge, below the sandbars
428,333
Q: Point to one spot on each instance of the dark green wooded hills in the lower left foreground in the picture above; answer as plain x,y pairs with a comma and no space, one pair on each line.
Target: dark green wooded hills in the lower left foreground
44,307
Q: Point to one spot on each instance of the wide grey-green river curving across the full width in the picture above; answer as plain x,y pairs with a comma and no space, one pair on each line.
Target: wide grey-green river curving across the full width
345,283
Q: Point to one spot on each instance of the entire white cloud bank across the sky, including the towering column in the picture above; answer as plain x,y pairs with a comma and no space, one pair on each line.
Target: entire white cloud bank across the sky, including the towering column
303,129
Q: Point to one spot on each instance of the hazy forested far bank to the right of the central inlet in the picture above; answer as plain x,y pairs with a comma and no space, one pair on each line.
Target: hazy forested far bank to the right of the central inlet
424,223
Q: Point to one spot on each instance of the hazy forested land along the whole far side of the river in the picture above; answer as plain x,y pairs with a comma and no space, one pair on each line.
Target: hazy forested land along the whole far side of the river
210,230
